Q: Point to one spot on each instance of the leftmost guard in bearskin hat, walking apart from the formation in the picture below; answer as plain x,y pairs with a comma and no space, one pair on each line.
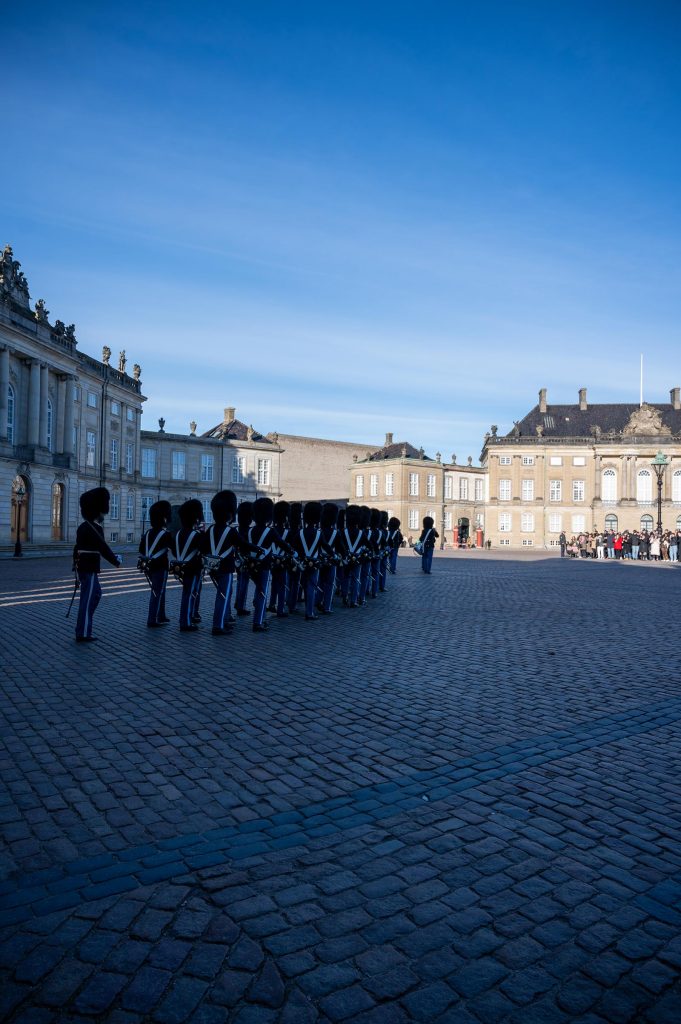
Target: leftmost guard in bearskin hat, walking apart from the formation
91,548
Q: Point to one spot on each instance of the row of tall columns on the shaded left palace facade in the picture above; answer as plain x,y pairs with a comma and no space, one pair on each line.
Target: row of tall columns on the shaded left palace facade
37,420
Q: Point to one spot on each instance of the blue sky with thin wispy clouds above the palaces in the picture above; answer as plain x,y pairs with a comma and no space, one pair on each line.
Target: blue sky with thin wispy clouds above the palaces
347,219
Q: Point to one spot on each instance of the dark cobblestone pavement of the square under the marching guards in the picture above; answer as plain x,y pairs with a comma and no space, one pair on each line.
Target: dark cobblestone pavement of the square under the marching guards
461,804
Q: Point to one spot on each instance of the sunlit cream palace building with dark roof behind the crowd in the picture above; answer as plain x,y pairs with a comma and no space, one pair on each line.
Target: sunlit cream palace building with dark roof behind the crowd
573,468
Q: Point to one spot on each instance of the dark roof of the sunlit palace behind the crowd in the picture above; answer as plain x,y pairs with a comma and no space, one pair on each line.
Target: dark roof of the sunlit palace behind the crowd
571,421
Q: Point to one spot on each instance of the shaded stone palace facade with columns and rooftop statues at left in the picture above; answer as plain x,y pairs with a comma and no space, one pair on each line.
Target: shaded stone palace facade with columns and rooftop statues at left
68,422
